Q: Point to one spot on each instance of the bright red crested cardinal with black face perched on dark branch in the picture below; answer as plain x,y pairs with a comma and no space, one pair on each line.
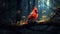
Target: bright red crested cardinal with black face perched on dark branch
33,15
